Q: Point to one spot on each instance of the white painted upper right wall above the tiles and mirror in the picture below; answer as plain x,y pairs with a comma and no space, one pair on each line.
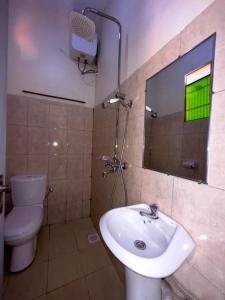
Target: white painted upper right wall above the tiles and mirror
147,26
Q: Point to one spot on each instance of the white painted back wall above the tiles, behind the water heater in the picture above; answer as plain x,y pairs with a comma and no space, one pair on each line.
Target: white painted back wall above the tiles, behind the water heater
37,31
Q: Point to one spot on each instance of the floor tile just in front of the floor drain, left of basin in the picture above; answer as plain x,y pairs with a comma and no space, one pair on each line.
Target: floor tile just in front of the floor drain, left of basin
94,258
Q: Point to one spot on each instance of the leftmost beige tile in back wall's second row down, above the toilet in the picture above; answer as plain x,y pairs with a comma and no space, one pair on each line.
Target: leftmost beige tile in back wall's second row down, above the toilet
17,139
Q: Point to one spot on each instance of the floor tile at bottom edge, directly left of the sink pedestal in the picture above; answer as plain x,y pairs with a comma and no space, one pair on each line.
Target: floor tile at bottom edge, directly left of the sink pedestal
105,284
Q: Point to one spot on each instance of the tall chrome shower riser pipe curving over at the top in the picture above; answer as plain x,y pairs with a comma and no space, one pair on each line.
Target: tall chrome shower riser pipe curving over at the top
106,16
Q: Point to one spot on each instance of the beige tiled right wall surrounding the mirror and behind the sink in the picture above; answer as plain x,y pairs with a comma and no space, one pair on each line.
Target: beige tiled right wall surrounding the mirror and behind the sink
200,208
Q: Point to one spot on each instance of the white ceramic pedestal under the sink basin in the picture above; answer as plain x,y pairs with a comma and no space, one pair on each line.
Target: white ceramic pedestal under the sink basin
139,287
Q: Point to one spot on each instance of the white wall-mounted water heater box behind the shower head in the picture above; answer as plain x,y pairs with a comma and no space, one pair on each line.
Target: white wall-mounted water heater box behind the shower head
83,50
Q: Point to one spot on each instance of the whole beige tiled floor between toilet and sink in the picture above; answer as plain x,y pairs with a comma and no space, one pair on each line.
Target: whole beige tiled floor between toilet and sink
67,267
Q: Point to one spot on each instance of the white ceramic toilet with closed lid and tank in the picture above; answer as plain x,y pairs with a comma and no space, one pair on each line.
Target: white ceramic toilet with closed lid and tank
25,219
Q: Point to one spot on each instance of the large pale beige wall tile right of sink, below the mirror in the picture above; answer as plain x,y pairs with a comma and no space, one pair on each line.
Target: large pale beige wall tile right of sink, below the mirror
196,208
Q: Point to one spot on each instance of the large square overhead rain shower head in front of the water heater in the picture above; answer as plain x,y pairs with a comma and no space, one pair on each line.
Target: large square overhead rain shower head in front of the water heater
82,25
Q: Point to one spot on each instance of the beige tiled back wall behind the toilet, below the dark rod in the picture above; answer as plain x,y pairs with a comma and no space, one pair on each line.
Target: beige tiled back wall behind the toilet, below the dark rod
50,138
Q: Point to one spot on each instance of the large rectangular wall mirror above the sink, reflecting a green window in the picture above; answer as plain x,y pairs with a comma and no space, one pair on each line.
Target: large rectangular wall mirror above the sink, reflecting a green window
177,112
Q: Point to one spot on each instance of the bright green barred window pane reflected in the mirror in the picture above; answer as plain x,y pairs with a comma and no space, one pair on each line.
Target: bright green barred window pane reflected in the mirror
197,99
